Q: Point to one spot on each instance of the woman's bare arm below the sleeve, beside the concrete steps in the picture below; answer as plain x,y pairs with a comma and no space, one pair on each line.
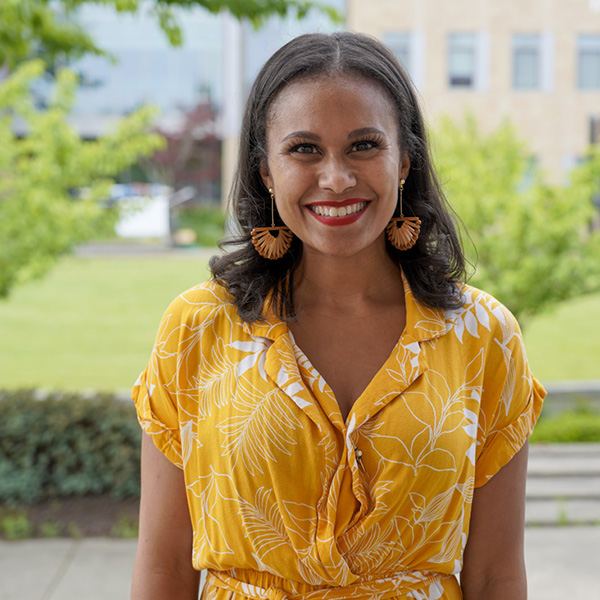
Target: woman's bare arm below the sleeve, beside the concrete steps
494,555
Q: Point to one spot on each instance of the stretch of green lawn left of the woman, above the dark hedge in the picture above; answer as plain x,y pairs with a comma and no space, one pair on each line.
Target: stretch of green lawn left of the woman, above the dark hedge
90,323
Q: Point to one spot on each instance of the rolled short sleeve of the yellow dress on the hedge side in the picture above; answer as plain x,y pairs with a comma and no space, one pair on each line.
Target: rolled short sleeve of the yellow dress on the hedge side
155,391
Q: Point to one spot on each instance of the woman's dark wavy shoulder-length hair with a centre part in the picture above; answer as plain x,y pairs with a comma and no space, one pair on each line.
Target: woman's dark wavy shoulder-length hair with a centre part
434,267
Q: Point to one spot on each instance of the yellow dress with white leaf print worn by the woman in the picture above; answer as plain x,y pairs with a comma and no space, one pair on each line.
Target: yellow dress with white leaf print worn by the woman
287,499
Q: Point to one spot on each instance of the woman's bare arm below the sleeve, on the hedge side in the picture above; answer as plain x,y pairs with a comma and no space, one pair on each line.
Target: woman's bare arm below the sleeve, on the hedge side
164,555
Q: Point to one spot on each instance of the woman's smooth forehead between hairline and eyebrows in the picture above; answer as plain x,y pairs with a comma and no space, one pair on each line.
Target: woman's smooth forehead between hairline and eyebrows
332,102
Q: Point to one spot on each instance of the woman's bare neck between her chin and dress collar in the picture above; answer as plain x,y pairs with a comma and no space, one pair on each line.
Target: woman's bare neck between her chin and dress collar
352,283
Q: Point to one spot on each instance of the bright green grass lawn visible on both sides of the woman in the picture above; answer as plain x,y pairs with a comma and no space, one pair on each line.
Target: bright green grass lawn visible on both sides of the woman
91,324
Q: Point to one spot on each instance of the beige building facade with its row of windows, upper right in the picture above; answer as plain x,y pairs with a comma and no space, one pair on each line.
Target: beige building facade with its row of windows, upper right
535,62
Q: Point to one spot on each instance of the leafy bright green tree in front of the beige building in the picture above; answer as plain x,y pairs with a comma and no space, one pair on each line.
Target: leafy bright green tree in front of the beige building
532,241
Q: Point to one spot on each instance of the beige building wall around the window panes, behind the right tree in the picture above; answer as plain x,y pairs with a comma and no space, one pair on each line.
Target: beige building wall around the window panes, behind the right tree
553,119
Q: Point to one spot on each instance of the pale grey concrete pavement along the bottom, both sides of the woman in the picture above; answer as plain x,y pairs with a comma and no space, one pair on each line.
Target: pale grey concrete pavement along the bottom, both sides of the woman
563,562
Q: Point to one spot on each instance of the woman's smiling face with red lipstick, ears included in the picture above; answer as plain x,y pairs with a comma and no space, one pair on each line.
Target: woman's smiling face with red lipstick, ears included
334,162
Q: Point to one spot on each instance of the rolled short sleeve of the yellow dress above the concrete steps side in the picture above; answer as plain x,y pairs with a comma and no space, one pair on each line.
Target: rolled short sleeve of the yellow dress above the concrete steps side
511,401
